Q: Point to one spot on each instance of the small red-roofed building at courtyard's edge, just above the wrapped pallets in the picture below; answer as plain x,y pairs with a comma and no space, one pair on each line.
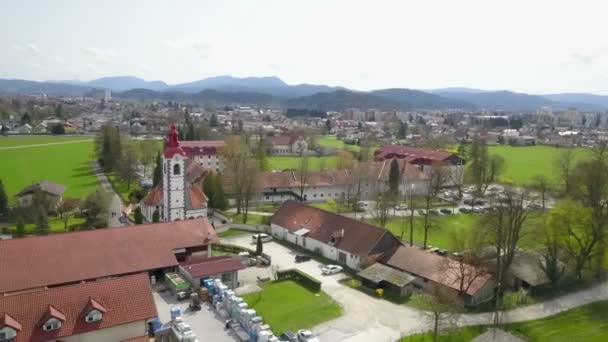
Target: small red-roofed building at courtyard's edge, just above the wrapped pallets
223,267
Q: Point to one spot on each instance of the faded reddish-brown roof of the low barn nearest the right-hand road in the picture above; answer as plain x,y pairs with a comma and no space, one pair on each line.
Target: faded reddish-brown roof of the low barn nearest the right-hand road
439,269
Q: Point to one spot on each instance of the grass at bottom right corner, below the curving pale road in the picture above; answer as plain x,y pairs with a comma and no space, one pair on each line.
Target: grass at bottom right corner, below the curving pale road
587,323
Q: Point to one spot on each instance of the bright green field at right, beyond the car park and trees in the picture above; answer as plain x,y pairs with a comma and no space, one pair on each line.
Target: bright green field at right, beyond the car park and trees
524,163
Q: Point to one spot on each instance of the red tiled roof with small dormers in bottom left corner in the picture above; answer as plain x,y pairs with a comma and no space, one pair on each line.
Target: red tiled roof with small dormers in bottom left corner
127,299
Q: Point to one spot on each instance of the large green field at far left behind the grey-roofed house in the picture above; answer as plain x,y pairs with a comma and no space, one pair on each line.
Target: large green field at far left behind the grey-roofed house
67,164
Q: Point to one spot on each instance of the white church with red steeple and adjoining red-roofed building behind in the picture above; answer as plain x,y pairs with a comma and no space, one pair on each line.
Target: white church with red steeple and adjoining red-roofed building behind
181,195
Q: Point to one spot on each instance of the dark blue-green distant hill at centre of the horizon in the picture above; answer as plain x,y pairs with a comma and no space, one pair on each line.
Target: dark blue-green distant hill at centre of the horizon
342,99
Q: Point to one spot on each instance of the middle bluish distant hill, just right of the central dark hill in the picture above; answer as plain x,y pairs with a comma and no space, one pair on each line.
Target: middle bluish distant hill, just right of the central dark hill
421,100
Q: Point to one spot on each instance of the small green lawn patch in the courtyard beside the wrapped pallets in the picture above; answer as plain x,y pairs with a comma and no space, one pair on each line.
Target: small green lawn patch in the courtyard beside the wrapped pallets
286,305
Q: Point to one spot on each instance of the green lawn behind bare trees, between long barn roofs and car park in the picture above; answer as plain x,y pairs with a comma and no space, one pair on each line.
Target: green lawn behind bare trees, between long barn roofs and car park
441,233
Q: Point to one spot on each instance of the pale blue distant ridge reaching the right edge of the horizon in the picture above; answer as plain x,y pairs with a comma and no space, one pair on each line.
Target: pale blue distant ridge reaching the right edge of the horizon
510,101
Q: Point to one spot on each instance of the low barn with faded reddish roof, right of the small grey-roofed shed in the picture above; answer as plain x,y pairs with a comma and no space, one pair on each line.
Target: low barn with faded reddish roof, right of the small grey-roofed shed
475,285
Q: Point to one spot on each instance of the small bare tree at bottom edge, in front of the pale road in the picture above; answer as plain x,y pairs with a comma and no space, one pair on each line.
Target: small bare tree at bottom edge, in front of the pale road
441,308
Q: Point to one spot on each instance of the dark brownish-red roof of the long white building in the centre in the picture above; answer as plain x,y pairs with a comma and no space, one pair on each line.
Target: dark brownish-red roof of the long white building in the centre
349,235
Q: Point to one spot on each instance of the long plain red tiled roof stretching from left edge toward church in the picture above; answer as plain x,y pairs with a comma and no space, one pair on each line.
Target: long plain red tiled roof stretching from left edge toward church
70,257
